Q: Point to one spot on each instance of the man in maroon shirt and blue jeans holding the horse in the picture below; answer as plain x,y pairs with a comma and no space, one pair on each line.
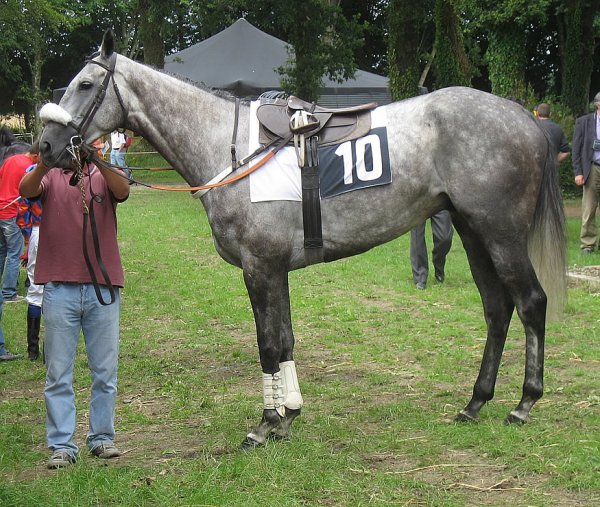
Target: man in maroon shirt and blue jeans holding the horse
70,304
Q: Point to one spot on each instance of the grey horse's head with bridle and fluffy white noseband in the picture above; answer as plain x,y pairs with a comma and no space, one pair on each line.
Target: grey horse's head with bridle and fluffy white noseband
90,107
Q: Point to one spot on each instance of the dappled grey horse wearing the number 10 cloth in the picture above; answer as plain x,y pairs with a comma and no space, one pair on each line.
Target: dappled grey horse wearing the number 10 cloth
482,157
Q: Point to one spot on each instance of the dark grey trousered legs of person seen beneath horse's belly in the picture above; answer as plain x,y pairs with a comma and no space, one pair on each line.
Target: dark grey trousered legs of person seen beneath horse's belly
441,227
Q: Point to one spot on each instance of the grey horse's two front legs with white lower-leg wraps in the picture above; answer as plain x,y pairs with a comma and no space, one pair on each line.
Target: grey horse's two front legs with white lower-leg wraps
269,296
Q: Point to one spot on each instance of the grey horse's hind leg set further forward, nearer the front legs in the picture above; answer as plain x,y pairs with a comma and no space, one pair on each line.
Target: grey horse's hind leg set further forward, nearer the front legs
498,308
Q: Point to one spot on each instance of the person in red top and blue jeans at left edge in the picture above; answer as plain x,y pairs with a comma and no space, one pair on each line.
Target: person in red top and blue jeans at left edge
11,239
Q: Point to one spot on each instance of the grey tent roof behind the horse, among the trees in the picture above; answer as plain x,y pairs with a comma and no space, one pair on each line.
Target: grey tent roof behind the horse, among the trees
243,60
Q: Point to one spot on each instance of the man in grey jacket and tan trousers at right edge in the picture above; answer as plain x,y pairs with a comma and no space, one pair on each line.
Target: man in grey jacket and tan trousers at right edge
586,167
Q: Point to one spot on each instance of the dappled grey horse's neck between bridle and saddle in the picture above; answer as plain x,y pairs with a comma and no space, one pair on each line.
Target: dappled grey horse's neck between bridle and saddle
190,127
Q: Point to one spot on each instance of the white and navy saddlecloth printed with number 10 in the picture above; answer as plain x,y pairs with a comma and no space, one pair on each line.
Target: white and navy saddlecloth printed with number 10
280,180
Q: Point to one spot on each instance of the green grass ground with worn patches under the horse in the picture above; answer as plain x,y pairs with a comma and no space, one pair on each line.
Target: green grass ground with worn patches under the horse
383,368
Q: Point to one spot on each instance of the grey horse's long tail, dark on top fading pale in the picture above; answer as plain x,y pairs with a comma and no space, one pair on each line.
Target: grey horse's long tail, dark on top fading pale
547,238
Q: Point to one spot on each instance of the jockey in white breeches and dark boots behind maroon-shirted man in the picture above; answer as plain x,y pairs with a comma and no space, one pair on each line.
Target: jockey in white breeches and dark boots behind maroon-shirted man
28,220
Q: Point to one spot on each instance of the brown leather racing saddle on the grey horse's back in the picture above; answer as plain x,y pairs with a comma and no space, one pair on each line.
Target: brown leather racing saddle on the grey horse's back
328,124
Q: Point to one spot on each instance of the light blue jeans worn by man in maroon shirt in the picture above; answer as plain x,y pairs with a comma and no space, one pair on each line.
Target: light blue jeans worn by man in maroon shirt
68,309
